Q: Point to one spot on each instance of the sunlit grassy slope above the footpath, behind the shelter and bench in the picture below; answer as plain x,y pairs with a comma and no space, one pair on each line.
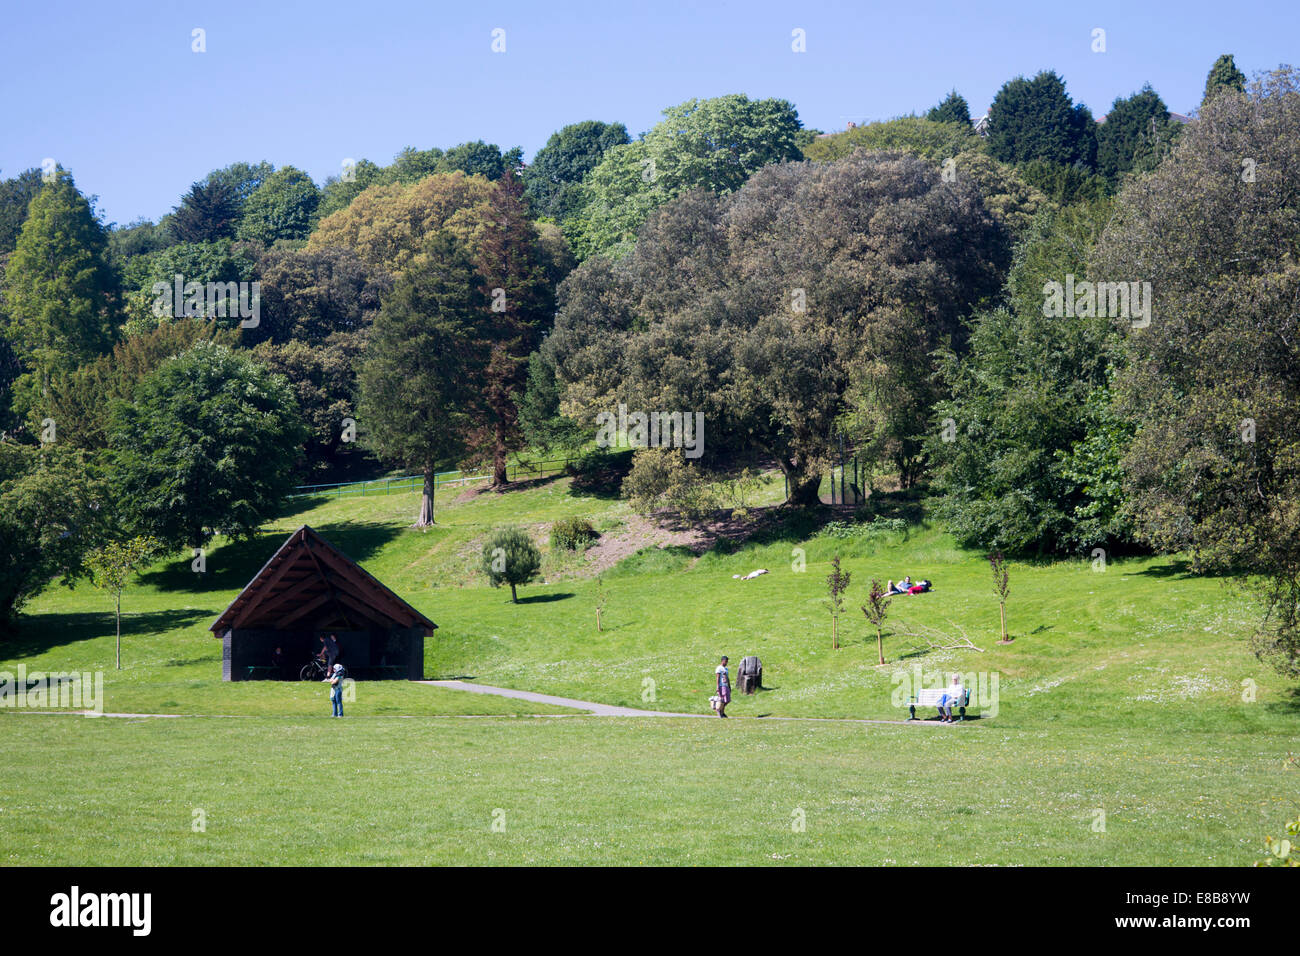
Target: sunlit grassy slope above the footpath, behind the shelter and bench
1139,644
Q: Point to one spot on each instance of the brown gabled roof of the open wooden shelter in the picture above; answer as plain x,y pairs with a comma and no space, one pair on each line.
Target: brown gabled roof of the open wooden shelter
309,583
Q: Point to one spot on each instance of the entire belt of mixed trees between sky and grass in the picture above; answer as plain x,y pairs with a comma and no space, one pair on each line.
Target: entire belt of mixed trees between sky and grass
881,287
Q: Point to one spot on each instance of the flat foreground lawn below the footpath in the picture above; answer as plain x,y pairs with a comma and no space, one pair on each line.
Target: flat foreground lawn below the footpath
629,791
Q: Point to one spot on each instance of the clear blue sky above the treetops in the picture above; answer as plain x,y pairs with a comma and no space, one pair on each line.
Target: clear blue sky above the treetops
115,94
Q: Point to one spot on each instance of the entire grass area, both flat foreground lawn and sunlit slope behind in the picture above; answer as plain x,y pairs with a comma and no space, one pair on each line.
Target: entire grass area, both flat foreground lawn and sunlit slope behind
1129,691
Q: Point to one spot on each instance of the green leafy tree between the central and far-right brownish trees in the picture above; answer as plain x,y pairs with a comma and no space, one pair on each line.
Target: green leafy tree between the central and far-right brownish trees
1022,462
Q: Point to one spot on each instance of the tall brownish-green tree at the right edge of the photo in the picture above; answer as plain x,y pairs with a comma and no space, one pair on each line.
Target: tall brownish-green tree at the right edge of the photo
1214,383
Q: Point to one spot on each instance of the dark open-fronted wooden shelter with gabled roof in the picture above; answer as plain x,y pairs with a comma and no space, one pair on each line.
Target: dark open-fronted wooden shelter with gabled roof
310,590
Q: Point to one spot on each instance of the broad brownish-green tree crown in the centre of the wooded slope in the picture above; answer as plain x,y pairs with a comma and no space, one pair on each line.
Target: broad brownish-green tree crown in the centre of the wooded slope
760,309
